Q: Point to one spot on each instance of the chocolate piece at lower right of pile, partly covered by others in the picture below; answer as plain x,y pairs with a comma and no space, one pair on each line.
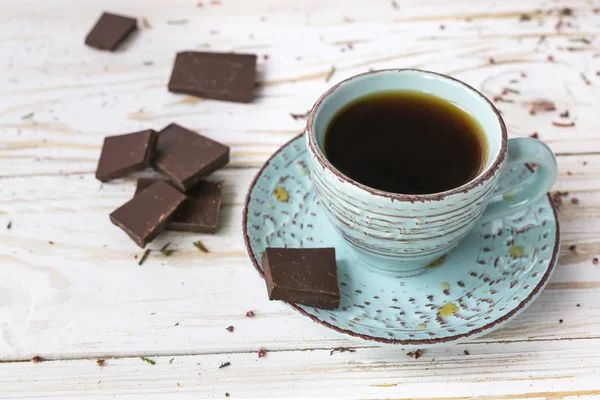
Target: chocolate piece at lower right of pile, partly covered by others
199,213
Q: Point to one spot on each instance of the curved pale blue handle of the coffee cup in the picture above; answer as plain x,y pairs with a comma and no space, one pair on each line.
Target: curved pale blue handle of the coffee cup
526,192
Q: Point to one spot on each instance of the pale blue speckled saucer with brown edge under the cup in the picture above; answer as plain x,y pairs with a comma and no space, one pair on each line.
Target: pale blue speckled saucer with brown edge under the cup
491,277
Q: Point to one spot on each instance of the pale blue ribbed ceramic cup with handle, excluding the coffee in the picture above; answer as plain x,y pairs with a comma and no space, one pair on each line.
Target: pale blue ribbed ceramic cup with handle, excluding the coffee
402,234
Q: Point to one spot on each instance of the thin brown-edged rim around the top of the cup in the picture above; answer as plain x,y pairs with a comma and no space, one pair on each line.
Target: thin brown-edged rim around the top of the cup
481,178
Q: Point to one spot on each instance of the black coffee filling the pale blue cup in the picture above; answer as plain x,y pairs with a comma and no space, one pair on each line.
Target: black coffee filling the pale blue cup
406,142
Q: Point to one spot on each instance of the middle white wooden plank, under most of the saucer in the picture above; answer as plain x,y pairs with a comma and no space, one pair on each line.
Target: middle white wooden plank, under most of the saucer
85,294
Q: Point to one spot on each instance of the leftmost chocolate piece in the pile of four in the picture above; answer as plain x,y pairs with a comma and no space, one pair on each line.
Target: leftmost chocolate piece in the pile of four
124,154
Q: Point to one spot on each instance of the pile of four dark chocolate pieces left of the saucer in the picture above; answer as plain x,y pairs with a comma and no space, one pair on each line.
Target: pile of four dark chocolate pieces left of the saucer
184,201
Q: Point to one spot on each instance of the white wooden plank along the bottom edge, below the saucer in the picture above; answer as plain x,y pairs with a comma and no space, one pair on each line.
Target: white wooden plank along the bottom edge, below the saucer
538,370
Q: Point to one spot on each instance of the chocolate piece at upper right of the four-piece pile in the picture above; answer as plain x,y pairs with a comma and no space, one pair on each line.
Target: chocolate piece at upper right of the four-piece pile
186,157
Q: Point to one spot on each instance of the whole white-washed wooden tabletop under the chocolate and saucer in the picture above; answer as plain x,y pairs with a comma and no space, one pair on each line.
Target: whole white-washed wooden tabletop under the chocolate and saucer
71,291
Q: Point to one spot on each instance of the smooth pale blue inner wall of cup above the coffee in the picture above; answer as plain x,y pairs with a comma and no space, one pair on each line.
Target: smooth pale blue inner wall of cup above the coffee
449,89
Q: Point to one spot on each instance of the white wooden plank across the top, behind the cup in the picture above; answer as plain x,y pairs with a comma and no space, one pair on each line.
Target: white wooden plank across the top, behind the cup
78,95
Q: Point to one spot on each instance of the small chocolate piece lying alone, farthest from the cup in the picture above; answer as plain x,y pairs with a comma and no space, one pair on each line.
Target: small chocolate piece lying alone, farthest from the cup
110,31
